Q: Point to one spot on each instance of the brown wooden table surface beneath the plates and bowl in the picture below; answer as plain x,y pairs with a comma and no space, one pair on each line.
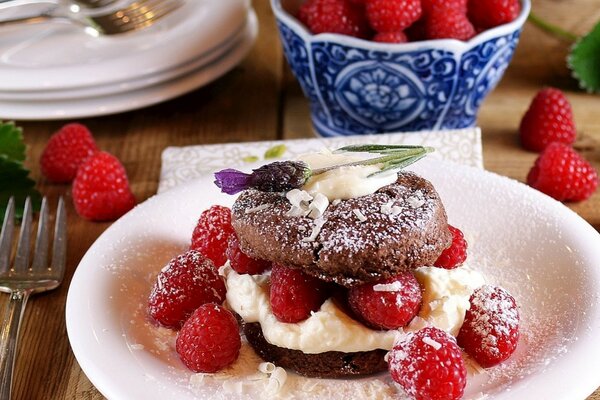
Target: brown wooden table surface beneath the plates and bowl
259,100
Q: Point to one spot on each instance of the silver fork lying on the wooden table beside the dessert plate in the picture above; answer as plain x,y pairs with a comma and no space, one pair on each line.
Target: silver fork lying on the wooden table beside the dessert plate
25,279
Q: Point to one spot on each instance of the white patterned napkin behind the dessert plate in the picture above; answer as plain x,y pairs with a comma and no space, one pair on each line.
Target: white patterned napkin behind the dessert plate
183,164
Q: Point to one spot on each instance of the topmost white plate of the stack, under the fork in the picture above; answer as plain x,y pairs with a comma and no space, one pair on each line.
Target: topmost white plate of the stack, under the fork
51,56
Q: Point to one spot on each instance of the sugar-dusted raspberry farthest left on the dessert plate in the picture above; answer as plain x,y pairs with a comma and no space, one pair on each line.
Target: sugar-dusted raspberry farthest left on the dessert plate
187,282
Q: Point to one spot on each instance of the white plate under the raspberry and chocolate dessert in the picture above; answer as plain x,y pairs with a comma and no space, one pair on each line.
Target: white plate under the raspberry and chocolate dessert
542,252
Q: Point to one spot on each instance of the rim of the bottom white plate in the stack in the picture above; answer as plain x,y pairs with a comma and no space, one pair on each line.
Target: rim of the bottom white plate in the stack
134,99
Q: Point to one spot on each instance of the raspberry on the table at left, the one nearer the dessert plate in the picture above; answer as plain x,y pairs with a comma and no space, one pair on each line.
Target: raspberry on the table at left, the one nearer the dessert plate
101,189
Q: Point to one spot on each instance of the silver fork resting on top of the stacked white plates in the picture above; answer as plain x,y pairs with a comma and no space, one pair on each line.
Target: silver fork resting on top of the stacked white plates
108,19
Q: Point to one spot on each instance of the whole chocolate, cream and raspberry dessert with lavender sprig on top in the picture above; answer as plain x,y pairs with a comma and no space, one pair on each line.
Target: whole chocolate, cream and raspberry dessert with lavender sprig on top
335,265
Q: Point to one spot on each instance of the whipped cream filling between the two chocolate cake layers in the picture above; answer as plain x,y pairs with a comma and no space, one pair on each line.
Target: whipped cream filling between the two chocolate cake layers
445,301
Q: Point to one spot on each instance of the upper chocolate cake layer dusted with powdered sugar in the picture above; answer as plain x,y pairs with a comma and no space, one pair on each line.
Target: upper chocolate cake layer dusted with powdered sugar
400,227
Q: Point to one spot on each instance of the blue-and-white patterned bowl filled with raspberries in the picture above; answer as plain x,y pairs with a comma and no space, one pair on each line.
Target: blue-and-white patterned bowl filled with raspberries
374,66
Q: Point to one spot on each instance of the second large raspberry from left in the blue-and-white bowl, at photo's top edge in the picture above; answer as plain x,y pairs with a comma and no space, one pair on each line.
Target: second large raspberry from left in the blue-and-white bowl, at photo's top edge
392,15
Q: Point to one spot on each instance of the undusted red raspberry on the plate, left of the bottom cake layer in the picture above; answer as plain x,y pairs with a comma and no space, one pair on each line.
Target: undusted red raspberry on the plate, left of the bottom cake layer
209,340
